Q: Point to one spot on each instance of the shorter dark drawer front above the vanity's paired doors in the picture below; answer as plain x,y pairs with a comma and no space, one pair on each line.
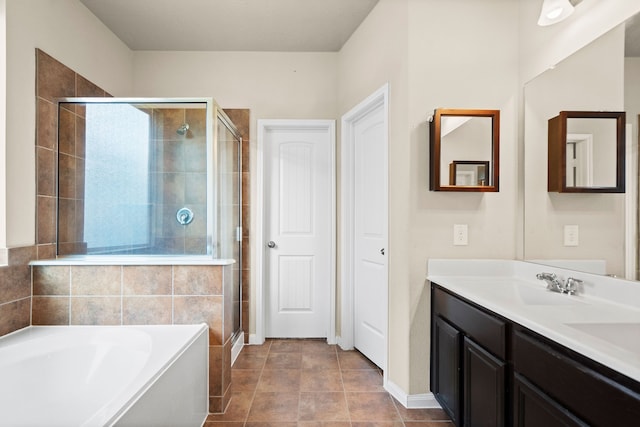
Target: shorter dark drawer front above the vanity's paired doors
483,327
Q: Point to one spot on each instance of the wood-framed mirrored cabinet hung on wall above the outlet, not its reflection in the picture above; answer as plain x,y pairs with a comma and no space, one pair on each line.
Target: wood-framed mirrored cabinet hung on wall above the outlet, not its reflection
464,150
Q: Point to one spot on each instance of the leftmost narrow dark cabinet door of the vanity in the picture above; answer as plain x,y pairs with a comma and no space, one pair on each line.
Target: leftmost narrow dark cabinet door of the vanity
445,375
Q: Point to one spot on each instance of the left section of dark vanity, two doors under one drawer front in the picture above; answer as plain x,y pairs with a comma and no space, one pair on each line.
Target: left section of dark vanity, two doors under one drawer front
468,372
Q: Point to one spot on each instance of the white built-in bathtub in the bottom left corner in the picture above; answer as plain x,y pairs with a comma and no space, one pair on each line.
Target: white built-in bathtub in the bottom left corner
104,376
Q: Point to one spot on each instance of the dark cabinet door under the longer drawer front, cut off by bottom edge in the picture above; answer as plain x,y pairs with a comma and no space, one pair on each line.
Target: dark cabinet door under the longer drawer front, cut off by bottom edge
533,408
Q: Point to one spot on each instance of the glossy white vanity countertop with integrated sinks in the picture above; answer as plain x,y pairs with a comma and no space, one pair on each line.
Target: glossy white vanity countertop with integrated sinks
602,322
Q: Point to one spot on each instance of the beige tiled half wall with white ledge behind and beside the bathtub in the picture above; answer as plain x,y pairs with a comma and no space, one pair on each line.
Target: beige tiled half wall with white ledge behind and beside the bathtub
163,291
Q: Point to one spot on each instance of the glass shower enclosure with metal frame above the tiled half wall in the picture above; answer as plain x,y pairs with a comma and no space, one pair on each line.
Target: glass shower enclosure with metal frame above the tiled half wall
148,177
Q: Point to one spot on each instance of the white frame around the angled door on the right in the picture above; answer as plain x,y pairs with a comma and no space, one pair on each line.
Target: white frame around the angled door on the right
347,211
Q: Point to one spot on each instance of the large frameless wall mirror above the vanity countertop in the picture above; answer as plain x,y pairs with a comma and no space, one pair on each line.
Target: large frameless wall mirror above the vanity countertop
599,77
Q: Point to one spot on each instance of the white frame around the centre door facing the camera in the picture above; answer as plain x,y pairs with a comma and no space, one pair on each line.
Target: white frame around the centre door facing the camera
265,125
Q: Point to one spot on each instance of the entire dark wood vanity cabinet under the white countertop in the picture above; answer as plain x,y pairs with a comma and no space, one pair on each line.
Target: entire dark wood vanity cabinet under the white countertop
489,371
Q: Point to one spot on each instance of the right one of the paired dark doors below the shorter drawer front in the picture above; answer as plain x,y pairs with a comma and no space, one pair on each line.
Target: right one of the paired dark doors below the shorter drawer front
484,387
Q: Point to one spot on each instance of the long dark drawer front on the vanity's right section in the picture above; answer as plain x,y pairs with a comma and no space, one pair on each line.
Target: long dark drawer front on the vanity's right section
589,391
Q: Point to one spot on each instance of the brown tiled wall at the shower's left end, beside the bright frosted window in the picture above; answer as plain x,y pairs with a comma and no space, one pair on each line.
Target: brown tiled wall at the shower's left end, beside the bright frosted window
55,80
